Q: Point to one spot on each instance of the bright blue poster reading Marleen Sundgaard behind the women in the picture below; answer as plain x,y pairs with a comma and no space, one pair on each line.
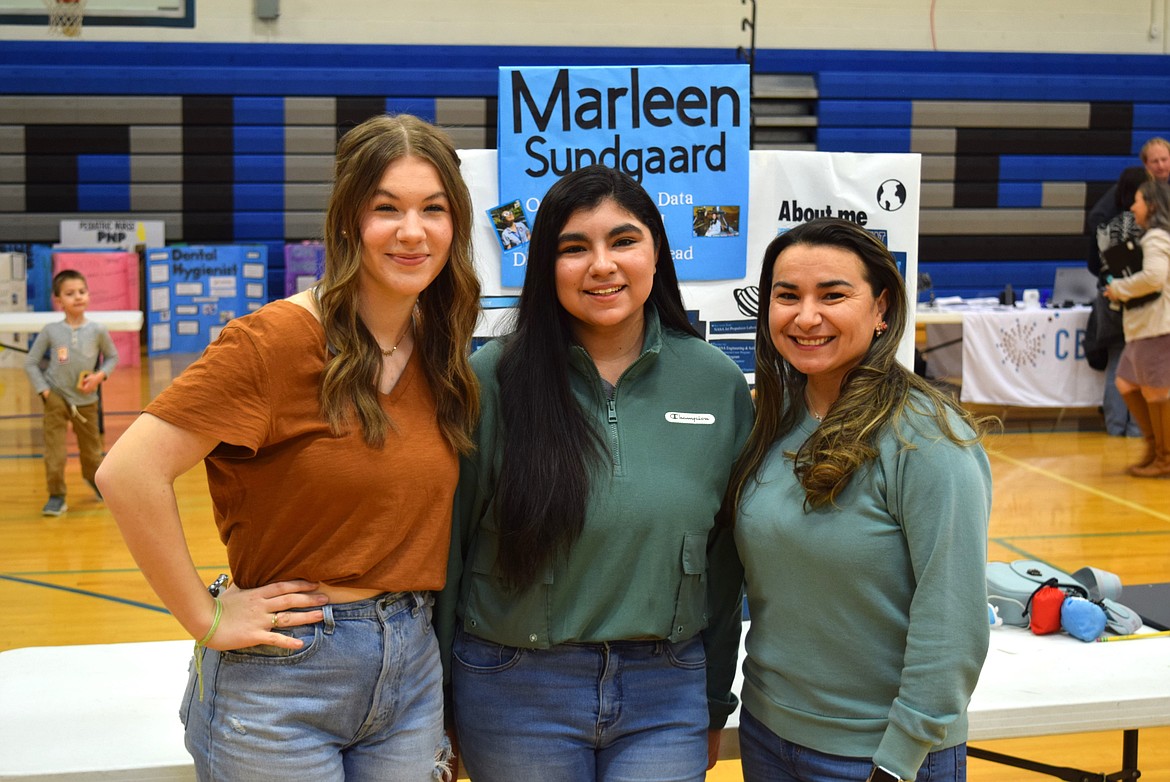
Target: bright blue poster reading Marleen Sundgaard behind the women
683,132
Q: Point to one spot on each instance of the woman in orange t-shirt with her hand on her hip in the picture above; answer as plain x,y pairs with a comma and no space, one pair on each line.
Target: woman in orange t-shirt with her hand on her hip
331,426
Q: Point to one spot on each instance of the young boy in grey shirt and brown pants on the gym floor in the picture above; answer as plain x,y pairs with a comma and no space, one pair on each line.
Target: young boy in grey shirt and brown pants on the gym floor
68,385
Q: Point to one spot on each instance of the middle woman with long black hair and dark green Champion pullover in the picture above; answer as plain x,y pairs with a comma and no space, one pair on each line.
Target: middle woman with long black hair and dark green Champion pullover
597,605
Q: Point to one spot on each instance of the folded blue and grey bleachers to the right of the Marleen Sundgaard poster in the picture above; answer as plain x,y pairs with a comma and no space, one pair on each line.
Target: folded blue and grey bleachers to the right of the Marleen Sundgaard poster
1016,148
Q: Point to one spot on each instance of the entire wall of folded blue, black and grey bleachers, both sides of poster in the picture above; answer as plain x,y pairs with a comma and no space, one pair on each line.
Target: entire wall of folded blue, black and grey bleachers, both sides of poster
231,143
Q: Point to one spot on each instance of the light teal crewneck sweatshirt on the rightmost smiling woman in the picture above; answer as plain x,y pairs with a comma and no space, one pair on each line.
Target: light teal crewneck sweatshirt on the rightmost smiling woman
869,619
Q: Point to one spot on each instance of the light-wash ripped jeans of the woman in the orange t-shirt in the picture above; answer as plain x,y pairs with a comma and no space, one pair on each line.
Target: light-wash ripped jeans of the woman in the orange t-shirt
361,701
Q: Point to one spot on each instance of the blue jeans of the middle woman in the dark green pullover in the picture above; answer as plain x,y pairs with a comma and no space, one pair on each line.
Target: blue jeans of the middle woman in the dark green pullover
620,712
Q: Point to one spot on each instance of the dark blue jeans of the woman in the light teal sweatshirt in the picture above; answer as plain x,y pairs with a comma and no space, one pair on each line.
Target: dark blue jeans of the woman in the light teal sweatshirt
768,758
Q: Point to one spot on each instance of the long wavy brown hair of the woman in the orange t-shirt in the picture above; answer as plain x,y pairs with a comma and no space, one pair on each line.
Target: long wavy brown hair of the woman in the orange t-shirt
448,310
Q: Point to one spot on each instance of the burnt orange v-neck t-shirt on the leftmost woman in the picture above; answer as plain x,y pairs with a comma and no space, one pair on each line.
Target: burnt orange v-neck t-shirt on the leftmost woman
294,502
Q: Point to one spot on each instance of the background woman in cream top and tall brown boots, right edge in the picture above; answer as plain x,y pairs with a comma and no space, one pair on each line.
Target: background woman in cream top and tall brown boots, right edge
1144,374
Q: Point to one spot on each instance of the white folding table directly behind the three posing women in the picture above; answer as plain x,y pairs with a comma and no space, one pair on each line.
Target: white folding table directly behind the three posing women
111,712
